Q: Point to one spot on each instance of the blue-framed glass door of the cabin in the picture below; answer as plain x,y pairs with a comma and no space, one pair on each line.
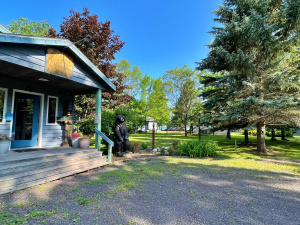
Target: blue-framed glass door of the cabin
25,124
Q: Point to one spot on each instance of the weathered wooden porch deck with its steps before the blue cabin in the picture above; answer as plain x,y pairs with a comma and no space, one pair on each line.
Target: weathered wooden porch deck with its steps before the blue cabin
20,170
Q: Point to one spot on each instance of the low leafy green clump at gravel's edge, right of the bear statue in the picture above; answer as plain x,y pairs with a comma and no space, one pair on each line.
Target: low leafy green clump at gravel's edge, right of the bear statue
197,148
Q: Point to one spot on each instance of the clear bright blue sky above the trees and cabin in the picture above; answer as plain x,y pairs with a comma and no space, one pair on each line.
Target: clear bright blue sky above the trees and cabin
158,35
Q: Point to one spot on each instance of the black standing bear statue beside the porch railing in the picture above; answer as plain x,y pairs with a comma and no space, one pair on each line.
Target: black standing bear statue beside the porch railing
121,136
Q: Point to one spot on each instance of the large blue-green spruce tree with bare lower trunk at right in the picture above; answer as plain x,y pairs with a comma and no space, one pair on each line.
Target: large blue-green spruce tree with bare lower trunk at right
250,49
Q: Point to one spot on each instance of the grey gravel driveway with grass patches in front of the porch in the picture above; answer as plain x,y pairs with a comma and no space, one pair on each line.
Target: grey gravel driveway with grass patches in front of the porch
150,190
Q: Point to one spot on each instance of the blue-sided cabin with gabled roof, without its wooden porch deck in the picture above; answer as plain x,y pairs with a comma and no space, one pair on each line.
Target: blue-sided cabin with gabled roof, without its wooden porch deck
39,78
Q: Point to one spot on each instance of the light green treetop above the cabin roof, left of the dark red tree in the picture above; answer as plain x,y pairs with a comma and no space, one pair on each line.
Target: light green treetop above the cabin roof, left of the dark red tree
25,27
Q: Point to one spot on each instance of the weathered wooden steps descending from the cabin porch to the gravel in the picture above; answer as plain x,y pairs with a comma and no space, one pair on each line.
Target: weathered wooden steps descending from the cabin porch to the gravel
24,173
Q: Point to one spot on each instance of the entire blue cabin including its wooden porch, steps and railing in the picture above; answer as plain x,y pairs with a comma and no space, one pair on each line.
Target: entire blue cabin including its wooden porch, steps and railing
39,78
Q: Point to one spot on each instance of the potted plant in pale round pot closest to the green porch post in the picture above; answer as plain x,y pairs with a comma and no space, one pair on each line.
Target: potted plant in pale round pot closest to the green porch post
88,129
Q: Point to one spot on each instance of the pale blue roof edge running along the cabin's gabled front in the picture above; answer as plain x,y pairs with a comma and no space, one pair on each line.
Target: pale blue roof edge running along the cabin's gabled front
46,41
